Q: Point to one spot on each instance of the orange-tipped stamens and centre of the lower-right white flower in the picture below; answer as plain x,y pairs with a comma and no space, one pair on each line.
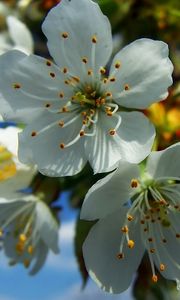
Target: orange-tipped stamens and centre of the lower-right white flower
155,208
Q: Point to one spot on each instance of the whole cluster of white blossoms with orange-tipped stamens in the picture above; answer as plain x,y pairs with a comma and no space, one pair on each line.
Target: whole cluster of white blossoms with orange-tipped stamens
77,108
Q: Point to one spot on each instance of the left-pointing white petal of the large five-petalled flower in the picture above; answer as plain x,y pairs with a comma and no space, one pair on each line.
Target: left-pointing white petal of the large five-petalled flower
31,85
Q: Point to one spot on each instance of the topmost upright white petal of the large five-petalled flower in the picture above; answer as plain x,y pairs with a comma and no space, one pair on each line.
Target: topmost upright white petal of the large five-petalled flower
81,20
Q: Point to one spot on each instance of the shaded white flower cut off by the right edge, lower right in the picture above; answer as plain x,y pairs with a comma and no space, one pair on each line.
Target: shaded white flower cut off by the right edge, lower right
149,221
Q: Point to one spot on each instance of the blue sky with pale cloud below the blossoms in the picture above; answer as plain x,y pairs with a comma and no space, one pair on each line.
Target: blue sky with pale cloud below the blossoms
58,280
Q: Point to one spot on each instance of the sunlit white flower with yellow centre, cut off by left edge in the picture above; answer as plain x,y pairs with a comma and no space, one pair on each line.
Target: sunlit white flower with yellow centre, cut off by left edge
14,175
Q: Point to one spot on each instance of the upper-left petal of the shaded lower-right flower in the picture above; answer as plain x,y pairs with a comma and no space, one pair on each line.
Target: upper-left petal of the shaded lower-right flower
109,193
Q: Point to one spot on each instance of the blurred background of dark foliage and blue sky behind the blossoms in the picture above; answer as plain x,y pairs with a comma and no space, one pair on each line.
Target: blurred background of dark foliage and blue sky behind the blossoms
64,276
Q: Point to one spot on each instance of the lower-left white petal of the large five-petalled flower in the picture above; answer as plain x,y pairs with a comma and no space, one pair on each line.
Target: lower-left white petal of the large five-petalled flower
44,148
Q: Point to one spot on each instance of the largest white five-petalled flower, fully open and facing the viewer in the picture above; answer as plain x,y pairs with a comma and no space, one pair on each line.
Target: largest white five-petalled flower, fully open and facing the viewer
75,111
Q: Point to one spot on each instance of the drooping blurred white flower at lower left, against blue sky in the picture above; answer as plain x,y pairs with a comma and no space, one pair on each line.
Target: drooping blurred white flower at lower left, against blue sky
28,231
